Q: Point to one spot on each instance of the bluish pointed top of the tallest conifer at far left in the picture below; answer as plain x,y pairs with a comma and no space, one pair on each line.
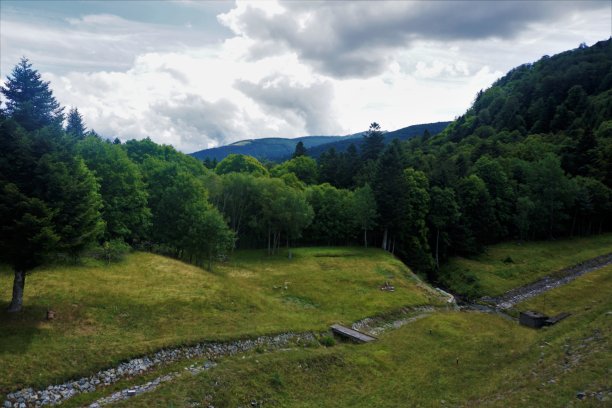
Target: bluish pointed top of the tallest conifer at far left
30,102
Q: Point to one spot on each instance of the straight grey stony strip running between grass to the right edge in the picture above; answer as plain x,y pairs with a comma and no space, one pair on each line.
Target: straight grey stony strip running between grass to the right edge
517,295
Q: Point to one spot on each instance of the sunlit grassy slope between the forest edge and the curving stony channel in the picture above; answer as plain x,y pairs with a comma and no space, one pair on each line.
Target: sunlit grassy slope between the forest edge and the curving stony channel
109,313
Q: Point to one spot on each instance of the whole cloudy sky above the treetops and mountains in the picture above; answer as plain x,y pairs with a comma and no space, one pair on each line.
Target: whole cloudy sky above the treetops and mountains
199,74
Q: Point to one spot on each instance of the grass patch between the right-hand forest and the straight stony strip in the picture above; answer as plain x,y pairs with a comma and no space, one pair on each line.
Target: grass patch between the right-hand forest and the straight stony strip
508,265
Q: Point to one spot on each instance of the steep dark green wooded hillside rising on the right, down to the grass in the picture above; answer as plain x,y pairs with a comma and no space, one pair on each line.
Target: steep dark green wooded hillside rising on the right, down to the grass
530,159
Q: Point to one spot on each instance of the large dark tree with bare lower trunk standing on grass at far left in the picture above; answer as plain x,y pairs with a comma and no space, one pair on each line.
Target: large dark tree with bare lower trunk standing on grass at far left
49,201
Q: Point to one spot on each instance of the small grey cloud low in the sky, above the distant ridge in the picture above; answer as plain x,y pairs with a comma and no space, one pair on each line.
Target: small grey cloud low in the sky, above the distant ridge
301,106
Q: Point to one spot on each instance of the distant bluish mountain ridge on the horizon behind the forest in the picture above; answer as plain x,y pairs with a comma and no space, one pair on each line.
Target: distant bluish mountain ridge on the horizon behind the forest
278,149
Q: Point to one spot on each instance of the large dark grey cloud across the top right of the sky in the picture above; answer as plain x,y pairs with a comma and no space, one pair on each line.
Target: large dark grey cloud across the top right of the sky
355,39
